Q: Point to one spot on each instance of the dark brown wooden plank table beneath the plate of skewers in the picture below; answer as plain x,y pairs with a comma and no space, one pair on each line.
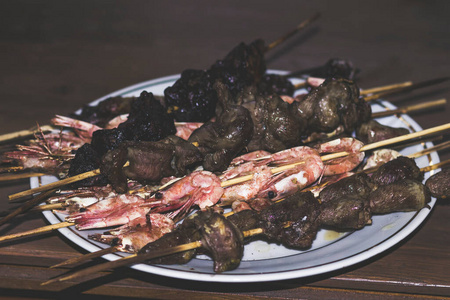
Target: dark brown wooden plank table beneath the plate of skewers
57,56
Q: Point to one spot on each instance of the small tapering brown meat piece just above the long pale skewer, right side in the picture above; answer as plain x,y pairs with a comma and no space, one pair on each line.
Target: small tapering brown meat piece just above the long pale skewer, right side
372,131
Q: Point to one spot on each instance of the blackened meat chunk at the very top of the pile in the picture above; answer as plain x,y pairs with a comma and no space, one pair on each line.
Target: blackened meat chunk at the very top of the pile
243,66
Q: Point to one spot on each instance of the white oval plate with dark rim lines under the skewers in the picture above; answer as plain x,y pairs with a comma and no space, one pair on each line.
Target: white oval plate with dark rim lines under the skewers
269,262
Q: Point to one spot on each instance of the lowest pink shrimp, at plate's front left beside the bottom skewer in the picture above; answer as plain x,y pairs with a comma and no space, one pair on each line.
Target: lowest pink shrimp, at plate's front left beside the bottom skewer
134,235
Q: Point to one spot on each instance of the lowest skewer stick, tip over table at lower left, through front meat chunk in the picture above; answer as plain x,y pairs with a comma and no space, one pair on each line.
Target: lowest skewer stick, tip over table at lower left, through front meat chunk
135,258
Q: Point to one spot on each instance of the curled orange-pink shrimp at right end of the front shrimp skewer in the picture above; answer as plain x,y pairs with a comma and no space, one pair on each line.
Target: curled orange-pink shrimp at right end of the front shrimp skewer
346,163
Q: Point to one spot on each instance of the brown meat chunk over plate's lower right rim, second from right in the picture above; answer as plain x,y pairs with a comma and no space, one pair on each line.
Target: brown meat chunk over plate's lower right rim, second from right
403,195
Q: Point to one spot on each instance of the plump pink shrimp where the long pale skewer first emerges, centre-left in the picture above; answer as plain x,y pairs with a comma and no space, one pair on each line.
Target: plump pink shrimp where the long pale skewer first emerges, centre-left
201,188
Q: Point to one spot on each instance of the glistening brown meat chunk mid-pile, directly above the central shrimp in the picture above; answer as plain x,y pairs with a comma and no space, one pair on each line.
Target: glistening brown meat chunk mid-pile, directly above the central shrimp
276,125
